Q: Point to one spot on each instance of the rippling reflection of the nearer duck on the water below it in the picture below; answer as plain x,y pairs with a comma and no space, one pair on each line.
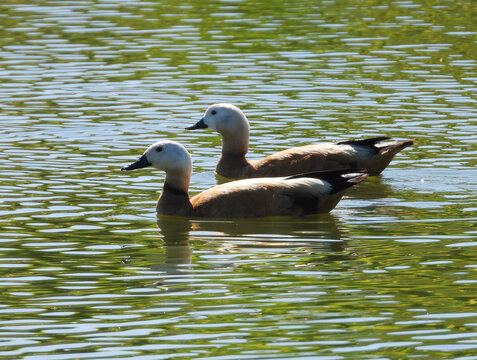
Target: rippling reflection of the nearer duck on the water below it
249,237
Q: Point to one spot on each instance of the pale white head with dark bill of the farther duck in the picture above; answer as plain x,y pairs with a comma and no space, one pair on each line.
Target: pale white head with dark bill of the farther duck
229,121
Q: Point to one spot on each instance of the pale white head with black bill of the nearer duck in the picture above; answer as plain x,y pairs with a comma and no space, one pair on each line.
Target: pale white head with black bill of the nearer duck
169,156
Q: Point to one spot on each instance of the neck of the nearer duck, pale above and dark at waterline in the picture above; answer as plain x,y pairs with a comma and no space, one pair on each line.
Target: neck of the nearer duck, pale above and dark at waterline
174,199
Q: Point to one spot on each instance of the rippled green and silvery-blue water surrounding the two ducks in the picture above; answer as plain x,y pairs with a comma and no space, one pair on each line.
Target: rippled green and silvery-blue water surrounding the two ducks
88,272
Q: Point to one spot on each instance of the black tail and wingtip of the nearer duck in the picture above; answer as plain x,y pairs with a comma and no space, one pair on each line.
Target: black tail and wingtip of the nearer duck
338,179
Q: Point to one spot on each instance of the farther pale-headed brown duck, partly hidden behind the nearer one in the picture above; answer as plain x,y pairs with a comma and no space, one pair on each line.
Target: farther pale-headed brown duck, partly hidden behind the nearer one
373,154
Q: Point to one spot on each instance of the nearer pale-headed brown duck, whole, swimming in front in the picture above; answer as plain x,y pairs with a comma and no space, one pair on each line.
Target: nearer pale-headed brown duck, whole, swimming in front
303,194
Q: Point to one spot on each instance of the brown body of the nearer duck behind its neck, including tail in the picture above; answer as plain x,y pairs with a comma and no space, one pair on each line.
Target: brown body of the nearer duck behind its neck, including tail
310,193
